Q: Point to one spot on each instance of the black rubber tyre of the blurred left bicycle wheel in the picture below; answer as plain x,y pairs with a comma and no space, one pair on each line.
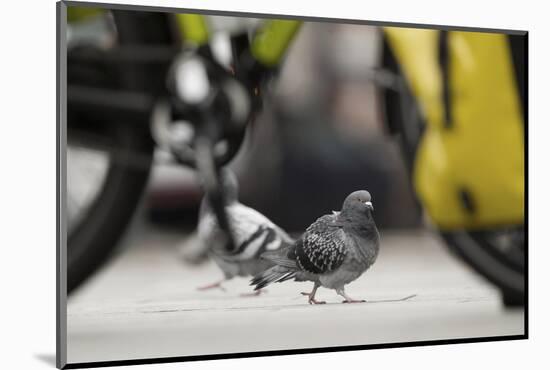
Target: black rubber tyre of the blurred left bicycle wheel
95,237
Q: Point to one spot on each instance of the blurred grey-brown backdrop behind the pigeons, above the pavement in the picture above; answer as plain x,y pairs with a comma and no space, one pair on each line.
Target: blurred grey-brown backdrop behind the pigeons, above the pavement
320,136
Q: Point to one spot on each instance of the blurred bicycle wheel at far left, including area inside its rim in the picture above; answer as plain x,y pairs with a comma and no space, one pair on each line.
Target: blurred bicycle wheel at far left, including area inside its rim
108,156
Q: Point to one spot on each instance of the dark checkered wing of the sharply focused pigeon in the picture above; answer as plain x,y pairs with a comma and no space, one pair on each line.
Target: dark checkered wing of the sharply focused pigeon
322,248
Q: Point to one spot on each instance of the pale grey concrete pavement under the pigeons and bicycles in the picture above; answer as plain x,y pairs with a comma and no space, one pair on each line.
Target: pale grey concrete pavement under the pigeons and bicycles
145,304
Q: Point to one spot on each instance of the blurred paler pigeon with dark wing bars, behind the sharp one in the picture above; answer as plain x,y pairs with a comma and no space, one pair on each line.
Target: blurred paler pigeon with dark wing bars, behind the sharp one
254,234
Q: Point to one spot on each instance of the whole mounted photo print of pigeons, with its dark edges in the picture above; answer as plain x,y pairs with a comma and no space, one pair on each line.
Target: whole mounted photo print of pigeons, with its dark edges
234,185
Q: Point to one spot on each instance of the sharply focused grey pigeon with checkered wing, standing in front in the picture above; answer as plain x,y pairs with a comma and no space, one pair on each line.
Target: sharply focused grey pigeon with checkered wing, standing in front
334,250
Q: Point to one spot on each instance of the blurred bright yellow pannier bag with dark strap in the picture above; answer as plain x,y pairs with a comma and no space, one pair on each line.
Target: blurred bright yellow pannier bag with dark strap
469,168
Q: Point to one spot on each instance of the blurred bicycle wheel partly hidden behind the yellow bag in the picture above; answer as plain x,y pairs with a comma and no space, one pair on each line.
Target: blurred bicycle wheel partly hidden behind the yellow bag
496,253
